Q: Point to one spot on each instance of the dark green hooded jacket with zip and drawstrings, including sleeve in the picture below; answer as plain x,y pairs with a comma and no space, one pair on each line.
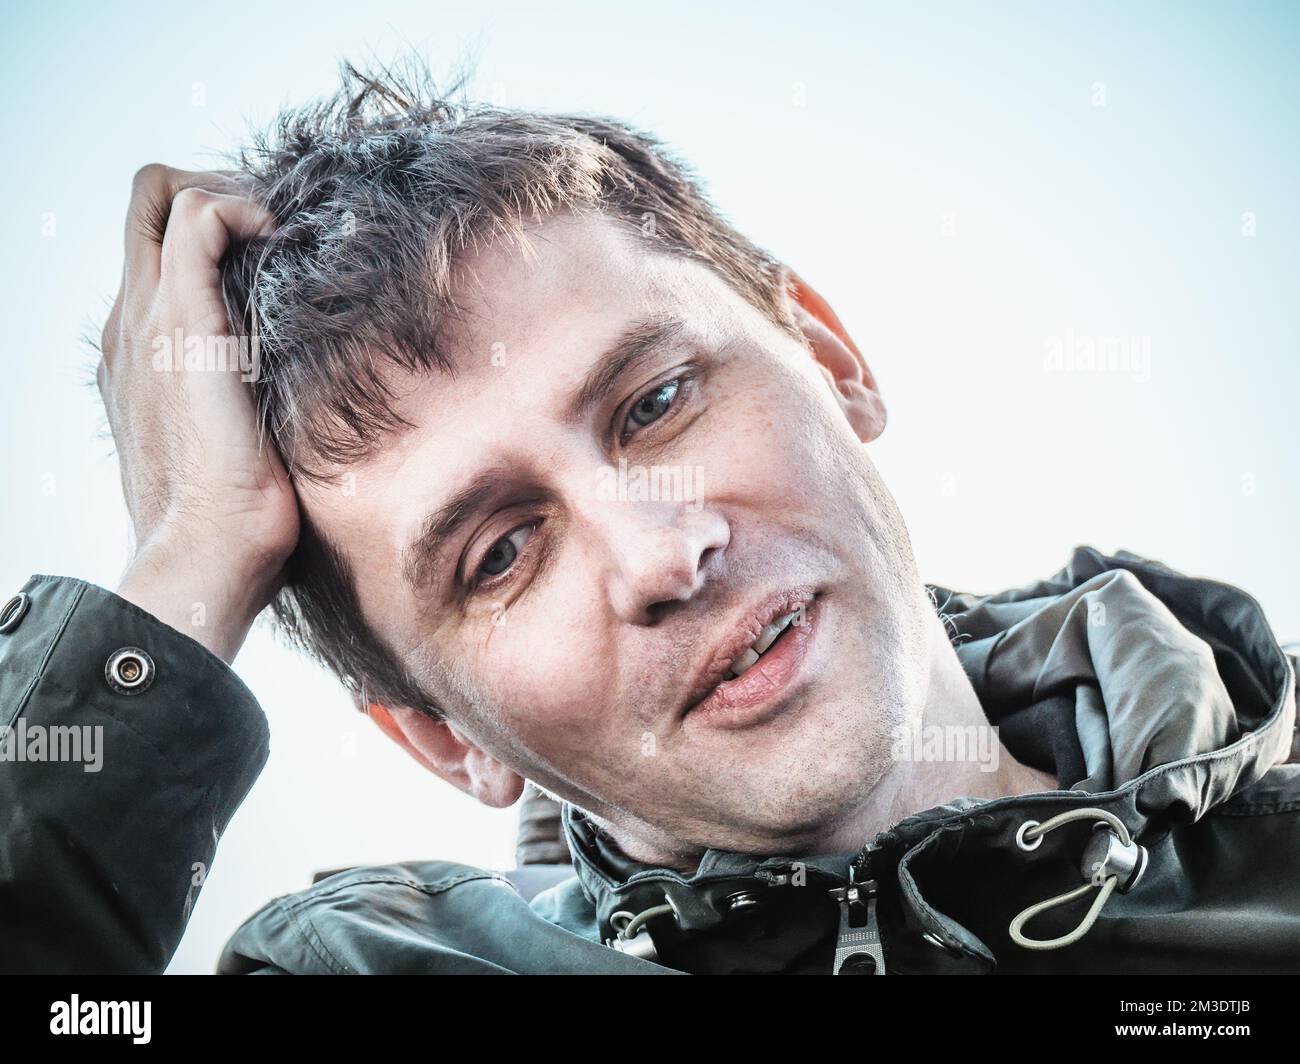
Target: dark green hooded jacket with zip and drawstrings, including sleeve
1159,702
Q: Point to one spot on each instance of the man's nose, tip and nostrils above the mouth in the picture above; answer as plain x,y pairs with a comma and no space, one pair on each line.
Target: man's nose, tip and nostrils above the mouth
661,556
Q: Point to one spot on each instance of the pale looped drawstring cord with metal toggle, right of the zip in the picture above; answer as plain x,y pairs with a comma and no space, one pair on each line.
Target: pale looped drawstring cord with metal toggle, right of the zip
1111,862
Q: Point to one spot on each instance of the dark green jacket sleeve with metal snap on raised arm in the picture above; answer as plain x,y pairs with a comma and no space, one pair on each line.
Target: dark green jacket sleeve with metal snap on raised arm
118,777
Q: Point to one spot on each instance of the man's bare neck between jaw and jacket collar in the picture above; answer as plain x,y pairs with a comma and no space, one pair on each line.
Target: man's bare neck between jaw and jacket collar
954,752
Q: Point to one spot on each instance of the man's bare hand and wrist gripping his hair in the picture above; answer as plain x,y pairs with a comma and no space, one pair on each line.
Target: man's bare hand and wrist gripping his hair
214,512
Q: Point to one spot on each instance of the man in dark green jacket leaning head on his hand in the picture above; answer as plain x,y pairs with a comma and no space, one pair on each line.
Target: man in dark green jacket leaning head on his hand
569,482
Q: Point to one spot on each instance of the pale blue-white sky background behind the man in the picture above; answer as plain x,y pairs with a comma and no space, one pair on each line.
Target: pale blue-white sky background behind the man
939,171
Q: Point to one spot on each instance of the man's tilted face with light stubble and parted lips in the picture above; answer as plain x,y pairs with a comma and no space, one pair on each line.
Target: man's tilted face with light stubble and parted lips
510,547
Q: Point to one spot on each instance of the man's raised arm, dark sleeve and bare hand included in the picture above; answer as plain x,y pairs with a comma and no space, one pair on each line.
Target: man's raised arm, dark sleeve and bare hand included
127,742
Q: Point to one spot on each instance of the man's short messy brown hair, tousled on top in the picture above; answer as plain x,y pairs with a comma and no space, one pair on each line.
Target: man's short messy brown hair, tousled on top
378,191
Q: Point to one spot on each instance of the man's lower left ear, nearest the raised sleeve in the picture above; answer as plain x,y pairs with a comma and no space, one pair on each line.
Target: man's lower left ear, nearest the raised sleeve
447,754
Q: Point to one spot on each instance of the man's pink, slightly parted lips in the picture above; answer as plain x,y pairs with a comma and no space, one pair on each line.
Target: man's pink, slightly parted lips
749,698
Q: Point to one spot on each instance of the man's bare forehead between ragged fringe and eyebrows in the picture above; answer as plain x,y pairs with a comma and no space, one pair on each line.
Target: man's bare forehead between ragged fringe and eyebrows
532,322
